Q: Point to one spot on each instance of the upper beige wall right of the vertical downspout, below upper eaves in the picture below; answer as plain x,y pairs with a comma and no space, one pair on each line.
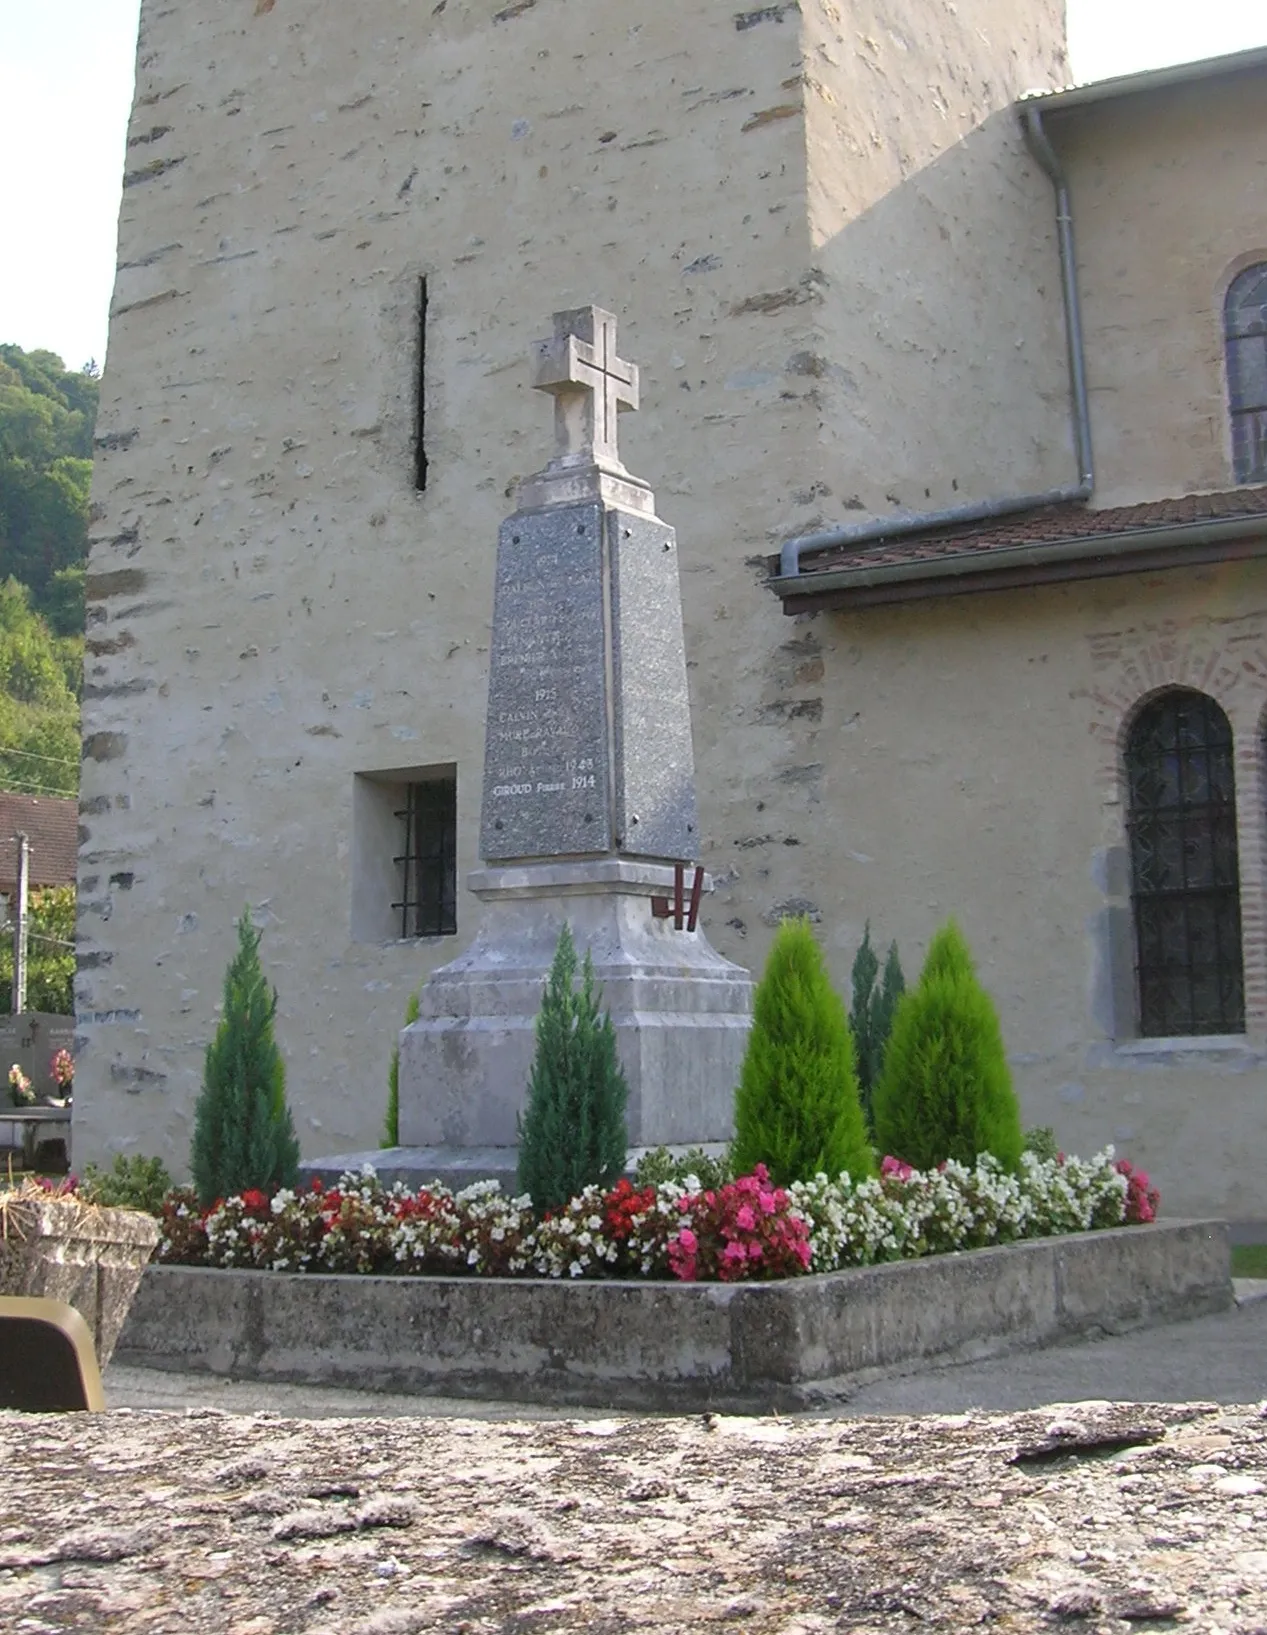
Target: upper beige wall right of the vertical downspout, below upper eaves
1170,195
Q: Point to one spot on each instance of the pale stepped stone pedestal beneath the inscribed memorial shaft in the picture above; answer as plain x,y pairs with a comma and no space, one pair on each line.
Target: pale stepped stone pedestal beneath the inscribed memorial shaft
679,1010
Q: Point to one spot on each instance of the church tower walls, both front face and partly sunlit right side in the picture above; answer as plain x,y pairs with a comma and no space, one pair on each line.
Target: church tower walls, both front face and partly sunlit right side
279,616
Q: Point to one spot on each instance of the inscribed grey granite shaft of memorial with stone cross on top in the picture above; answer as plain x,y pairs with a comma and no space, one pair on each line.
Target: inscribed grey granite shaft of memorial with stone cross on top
588,741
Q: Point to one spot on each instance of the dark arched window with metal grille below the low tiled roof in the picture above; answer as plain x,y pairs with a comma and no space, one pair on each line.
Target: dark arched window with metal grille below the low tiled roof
1184,869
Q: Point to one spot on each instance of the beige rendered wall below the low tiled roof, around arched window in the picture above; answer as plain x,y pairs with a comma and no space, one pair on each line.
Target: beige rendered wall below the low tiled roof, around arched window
970,764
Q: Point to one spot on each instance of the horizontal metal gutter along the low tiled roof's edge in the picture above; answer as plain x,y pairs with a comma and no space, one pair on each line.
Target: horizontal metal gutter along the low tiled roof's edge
1113,549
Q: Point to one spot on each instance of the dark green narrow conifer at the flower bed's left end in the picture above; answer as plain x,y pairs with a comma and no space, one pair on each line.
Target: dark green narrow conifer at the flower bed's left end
244,1134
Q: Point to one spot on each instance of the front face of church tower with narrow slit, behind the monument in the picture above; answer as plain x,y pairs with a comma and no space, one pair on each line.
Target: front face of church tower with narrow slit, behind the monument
272,606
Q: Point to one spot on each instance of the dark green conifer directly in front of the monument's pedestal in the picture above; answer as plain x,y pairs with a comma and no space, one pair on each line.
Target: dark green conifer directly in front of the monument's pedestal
573,1129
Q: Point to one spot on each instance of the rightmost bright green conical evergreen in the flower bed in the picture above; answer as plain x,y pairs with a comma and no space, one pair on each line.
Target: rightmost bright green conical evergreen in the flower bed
946,1090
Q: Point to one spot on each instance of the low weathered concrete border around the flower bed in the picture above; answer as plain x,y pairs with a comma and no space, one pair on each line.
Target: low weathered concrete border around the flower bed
663,1346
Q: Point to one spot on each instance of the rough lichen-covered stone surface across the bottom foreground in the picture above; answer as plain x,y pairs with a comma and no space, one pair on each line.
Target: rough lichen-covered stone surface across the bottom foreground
1095,1518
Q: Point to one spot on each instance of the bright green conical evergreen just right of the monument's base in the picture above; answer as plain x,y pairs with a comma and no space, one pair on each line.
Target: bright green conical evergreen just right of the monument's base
797,1109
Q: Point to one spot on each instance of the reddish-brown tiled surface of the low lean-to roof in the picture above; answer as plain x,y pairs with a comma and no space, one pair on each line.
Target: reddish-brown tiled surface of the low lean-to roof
1049,526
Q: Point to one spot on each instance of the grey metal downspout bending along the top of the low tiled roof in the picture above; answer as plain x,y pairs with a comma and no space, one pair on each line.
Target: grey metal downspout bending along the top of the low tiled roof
985,511
